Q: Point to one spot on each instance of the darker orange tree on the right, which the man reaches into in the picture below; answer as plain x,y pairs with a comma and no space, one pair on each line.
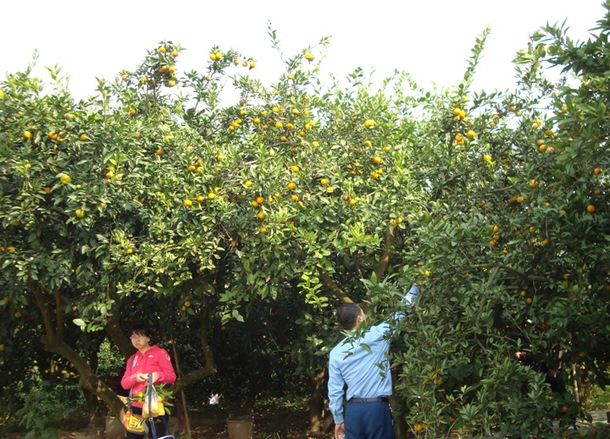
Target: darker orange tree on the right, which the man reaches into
514,236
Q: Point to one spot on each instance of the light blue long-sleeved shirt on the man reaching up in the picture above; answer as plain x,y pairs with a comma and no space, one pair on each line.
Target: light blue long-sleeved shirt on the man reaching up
362,363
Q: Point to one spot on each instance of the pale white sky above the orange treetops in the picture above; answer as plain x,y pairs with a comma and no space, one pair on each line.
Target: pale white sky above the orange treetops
429,38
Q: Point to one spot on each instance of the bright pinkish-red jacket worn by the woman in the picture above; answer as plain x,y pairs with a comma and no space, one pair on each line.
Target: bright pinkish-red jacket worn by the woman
155,359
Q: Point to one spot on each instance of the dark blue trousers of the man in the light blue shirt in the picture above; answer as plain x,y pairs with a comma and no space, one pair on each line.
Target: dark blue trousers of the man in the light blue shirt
368,420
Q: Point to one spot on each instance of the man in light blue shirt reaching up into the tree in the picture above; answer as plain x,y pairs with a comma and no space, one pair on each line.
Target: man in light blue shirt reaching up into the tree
361,362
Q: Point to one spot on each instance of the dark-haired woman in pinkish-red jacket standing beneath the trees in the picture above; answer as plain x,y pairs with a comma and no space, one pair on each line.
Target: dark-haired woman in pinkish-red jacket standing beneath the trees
146,360
